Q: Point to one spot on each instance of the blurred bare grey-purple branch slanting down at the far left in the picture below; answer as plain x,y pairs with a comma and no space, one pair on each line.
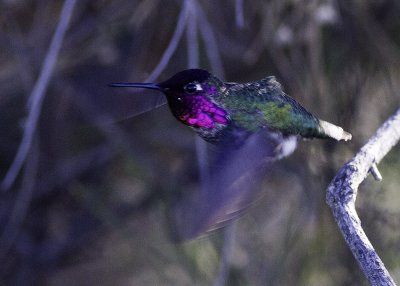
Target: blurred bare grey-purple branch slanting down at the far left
38,93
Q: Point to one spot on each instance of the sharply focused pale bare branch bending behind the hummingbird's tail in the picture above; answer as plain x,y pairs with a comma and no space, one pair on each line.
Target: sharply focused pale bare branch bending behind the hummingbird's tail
342,193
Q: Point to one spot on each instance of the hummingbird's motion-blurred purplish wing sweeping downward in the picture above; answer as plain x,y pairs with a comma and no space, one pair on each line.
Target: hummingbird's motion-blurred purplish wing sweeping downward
233,185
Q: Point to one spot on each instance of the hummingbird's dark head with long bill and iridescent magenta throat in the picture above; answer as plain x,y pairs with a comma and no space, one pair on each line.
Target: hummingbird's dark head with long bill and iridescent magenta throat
192,96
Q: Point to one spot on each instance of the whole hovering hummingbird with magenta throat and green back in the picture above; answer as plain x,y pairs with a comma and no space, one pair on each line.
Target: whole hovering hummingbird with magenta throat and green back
256,119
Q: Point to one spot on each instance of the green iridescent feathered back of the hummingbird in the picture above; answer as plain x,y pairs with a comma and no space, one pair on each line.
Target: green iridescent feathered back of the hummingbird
263,104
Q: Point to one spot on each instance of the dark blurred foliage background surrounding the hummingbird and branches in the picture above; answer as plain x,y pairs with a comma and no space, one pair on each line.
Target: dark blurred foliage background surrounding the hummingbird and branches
99,185
